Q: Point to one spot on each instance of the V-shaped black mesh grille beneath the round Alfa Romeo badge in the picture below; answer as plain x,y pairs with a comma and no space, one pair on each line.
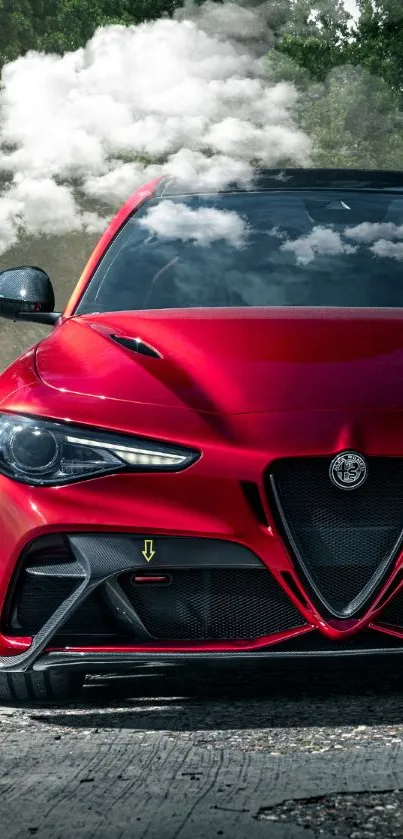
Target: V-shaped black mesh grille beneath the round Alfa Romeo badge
343,541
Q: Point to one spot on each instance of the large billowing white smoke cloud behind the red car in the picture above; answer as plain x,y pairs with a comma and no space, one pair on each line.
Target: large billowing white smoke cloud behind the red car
185,97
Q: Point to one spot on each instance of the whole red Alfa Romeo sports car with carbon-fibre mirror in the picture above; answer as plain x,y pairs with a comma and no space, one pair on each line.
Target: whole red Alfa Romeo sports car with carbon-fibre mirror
204,458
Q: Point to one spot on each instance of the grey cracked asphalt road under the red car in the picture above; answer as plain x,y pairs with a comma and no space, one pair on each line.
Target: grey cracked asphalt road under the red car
181,753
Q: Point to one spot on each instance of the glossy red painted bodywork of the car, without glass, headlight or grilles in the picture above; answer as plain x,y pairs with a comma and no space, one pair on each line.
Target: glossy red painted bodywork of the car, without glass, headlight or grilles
244,387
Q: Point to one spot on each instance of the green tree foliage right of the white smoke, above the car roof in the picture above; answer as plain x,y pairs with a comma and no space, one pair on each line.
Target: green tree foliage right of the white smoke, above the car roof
349,78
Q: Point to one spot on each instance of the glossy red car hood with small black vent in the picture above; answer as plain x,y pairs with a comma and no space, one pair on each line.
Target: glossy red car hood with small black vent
232,361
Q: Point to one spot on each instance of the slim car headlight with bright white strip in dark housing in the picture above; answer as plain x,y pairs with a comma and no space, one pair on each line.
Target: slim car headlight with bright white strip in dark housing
44,453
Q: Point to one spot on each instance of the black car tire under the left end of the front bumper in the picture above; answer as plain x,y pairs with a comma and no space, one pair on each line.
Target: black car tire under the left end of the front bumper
51,686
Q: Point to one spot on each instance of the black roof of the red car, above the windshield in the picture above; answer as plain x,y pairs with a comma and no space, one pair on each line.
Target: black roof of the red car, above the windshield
295,179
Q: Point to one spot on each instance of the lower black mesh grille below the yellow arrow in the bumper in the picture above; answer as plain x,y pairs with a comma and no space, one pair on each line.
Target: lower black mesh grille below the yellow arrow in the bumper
213,604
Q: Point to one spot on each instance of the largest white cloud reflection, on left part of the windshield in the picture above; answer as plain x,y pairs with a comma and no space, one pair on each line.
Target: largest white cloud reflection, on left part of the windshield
175,220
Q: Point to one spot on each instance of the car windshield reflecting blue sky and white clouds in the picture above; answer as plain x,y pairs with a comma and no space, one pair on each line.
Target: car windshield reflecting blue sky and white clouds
307,248
